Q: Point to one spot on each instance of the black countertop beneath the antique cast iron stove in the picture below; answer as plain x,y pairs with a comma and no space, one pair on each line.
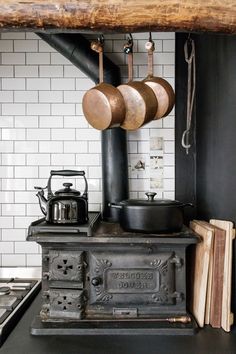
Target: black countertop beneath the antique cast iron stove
206,341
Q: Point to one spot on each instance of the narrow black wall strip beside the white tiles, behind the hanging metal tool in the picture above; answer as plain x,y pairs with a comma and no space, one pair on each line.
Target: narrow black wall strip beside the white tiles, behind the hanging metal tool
185,170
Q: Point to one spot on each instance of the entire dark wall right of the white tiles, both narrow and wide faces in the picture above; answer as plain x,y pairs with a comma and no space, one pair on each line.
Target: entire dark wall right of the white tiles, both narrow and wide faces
210,180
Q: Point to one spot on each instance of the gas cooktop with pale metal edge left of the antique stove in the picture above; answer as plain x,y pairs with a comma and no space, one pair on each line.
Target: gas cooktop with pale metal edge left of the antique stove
18,287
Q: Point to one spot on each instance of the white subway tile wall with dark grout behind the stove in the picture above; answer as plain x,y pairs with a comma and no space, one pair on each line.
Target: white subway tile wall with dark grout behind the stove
42,127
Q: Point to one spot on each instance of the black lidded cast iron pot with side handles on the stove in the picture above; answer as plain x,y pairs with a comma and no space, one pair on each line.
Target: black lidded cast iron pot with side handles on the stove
151,215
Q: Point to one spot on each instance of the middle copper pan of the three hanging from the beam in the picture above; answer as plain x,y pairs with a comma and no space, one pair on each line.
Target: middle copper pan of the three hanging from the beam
140,101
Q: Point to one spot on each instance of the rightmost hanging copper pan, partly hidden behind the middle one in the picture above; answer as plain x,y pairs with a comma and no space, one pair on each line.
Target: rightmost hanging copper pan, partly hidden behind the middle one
162,89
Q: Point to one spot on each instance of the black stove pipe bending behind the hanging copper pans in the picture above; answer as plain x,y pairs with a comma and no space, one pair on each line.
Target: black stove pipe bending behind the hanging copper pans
77,50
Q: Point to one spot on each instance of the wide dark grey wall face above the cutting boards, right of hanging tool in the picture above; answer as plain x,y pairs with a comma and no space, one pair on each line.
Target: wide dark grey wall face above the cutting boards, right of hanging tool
216,126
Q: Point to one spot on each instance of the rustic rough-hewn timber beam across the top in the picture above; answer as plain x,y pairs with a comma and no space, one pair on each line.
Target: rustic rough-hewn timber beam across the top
119,15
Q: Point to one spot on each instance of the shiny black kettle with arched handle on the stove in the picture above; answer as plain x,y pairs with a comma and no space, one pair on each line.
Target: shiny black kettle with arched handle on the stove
65,206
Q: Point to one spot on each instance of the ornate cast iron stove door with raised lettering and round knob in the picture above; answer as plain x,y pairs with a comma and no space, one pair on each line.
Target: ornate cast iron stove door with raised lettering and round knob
134,279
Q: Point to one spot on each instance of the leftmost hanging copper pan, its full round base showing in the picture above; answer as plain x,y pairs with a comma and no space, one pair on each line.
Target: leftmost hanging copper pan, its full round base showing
103,105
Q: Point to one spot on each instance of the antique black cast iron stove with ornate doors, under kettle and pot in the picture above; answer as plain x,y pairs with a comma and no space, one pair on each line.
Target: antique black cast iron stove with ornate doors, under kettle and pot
98,279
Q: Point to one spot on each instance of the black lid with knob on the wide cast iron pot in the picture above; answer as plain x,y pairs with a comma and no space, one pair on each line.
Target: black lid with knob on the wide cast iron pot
151,201
